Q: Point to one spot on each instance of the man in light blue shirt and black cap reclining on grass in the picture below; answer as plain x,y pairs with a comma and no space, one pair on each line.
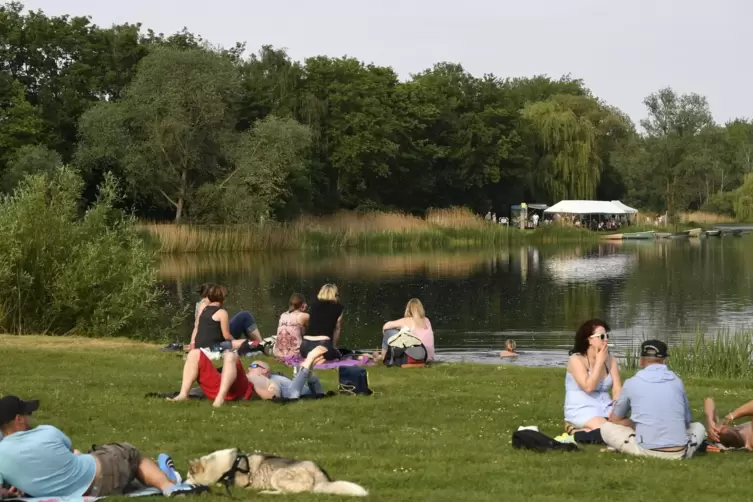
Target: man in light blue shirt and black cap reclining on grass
41,462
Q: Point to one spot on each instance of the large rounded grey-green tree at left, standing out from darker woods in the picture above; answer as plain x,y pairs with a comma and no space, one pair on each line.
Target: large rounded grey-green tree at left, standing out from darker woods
172,129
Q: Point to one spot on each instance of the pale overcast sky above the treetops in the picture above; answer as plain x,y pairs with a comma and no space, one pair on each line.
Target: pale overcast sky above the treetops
623,49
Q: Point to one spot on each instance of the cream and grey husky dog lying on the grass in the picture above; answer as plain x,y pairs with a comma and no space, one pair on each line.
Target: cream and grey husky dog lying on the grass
273,475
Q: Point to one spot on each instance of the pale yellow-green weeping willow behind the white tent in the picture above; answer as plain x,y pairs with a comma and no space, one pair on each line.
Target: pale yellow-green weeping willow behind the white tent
566,130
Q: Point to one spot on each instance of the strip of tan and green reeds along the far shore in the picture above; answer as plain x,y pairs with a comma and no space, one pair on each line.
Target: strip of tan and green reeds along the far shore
441,229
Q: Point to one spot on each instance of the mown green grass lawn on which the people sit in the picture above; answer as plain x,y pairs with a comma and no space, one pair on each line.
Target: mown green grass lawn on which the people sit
440,433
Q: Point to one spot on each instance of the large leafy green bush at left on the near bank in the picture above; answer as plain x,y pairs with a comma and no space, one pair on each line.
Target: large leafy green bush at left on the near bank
66,272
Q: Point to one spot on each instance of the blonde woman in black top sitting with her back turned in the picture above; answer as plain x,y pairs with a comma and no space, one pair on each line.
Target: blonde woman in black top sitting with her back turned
325,322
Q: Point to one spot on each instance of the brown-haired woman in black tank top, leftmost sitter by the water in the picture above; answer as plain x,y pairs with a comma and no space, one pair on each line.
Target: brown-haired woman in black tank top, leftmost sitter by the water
212,326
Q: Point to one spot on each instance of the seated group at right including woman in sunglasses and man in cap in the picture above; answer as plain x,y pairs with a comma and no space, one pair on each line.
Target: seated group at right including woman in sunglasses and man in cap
648,415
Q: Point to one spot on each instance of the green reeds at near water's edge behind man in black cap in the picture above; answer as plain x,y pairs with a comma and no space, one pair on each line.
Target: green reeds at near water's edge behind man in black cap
725,355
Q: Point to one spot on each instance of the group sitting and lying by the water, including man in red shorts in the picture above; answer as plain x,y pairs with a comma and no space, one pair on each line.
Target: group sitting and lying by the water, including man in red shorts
303,331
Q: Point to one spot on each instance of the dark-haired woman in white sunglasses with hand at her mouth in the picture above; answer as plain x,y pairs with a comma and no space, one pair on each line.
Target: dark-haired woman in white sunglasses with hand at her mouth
591,374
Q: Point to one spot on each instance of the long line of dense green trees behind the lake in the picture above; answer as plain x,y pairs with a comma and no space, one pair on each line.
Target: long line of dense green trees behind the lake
205,134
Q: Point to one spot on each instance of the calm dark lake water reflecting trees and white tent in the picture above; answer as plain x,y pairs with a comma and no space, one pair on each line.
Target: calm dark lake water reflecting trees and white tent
477,299
